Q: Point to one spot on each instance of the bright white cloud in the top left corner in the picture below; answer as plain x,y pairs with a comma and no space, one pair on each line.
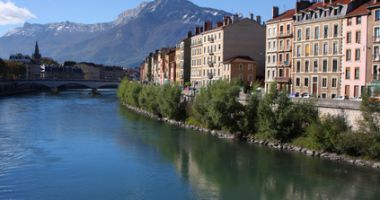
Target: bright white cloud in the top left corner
11,14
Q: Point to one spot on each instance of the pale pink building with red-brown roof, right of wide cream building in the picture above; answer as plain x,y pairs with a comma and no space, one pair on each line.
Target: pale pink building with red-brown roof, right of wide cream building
355,52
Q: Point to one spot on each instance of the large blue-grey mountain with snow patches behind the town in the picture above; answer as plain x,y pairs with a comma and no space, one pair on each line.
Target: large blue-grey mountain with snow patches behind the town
124,41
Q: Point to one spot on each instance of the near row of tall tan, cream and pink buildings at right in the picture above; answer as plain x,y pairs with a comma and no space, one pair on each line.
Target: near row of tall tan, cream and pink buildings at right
325,48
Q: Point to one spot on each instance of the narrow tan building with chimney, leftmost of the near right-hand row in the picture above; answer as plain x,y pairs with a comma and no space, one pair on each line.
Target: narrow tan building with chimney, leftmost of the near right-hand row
279,46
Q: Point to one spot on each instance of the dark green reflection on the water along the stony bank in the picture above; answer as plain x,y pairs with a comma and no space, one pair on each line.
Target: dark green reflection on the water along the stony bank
231,170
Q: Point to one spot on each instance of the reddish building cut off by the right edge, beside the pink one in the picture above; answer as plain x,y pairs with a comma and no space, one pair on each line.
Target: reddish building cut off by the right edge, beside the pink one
373,55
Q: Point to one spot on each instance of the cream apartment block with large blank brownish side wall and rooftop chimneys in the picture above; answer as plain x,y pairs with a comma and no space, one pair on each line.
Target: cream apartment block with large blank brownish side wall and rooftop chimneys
212,46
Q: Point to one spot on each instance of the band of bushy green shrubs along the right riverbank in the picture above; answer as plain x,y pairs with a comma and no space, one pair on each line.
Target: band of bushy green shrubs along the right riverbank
272,117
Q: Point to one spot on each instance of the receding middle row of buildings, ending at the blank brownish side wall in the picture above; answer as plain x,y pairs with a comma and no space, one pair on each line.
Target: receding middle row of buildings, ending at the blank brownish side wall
232,49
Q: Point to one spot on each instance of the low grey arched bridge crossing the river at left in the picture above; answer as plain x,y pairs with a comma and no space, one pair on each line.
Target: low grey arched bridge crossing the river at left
55,84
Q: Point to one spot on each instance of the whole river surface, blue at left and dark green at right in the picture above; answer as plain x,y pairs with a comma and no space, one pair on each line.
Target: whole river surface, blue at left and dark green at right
75,146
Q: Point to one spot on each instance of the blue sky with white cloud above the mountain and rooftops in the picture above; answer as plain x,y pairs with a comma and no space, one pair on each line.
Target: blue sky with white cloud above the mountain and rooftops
14,13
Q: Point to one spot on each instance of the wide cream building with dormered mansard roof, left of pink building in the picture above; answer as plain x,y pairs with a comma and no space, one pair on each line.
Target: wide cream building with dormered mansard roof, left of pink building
318,52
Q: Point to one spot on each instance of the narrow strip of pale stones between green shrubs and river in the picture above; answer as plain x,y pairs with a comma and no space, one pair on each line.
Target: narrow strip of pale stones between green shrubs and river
271,144
